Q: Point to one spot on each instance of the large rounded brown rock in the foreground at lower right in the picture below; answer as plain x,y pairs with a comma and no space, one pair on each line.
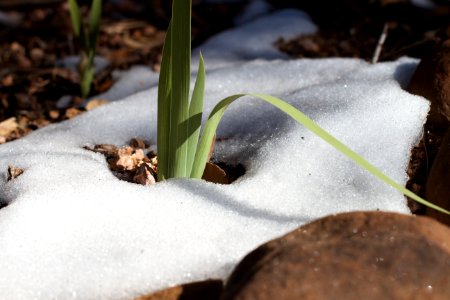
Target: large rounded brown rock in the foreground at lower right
361,255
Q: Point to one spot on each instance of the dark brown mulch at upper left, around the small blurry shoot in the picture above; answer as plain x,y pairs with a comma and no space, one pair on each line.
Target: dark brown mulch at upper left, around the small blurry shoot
31,82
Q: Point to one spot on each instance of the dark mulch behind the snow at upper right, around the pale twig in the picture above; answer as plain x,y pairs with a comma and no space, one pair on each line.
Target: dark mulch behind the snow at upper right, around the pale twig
352,28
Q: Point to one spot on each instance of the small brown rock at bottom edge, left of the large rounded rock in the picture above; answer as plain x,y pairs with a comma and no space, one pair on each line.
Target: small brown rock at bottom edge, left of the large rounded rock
208,290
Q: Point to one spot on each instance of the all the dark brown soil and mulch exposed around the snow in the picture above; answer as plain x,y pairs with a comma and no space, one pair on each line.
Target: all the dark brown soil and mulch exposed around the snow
38,34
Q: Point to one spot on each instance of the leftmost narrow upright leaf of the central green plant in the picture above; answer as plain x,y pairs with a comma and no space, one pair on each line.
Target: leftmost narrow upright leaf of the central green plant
164,99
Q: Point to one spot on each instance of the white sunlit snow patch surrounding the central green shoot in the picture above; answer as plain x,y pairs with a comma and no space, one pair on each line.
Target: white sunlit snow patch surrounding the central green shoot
74,231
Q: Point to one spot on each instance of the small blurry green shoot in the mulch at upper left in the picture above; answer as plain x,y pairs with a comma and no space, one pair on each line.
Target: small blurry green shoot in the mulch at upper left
88,36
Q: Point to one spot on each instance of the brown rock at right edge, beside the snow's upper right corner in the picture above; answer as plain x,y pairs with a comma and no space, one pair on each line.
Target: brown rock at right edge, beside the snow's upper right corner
432,81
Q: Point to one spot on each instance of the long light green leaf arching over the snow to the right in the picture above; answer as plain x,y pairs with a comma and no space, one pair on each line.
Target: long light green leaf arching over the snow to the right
218,111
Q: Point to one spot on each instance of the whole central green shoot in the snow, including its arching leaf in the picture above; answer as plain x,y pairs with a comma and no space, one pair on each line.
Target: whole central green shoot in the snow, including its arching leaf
182,152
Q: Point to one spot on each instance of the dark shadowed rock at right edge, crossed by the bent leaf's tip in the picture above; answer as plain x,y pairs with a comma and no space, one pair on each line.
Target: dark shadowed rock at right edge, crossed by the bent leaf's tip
437,189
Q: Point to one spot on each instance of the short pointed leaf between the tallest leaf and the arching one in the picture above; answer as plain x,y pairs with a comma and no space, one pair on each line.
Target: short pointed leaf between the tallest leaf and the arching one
195,114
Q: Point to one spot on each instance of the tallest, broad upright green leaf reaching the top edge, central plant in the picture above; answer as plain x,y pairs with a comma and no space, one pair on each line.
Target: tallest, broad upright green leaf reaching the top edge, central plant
181,58
